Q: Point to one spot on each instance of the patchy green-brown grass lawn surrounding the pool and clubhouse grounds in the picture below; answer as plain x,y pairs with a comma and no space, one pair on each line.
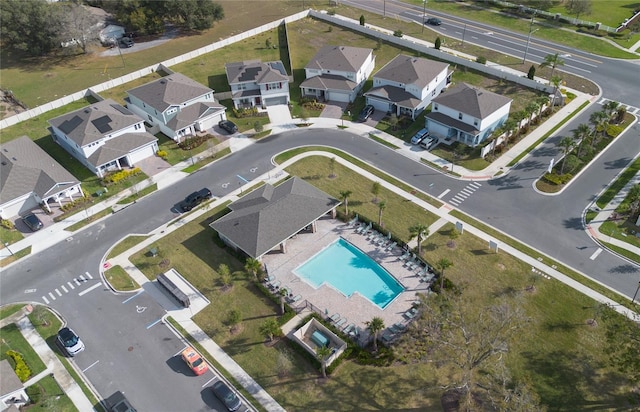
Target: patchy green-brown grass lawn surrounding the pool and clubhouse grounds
558,352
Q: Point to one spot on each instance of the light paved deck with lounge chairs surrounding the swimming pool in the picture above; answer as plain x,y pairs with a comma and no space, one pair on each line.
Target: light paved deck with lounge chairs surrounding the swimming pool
355,309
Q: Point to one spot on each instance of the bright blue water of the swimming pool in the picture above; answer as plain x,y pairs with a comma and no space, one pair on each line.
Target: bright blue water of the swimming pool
347,269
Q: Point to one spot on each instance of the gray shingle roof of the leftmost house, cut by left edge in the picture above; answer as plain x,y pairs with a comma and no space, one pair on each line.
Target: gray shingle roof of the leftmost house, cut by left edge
26,168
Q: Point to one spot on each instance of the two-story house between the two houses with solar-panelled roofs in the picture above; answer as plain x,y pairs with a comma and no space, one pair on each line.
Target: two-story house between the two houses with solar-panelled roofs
177,105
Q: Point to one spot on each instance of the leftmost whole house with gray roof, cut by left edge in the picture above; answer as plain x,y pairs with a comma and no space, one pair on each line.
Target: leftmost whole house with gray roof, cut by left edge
29,177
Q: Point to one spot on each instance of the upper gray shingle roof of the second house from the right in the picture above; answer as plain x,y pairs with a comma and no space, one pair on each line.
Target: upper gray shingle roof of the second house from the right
411,70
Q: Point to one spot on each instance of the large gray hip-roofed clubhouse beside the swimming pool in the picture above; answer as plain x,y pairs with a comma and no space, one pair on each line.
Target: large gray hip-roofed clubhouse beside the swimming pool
266,218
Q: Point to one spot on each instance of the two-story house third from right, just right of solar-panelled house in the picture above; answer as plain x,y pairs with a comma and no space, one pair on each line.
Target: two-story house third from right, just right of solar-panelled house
337,73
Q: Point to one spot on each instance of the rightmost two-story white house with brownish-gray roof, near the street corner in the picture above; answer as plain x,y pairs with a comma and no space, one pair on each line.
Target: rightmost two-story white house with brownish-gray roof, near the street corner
466,114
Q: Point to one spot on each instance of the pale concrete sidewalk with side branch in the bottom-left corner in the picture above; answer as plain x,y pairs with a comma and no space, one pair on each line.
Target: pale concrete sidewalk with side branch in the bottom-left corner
54,365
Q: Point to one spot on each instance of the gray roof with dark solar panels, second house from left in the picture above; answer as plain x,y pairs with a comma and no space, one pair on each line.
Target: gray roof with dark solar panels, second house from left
95,121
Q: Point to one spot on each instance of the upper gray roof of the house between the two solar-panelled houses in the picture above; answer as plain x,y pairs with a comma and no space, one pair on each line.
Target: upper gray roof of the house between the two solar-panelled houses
170,90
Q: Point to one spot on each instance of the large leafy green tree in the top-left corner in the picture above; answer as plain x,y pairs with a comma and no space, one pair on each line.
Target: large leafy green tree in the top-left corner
32,26
